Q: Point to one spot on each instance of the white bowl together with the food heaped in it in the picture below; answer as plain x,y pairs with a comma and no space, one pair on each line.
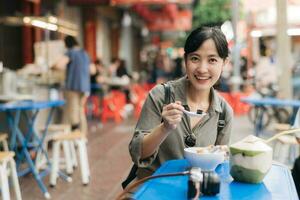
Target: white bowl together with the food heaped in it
206,158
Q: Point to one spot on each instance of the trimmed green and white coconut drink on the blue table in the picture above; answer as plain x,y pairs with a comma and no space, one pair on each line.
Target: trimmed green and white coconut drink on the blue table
250,160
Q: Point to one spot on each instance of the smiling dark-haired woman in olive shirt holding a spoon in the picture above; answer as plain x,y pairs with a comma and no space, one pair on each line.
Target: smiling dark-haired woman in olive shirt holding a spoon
162,131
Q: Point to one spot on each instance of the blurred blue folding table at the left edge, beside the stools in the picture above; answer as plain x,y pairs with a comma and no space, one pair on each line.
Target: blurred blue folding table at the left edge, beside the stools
21,142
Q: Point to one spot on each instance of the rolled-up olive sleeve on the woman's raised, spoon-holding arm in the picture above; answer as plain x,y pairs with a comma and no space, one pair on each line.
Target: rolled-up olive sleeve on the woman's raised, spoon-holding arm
150,118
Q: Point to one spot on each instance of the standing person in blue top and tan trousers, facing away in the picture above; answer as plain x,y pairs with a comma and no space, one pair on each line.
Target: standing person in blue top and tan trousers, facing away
76,62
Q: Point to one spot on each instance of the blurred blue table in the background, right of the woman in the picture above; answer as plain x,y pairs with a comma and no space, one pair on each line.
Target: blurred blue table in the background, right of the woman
263,102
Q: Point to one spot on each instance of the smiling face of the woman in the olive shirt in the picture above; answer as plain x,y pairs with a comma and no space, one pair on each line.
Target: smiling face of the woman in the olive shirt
204,66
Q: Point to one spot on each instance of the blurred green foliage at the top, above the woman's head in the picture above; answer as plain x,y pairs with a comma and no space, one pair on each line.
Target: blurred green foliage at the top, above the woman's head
211,12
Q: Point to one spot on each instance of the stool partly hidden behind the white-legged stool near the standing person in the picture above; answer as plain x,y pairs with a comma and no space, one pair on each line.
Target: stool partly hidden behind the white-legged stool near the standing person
68,147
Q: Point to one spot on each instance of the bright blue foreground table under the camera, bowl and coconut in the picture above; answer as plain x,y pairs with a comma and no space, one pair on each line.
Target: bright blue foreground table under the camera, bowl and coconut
277,185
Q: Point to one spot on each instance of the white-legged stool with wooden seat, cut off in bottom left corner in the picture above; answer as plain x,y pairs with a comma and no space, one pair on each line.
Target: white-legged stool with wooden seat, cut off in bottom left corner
8,166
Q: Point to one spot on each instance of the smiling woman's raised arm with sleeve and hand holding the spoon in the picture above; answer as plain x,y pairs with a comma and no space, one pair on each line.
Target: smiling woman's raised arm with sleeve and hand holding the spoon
150,131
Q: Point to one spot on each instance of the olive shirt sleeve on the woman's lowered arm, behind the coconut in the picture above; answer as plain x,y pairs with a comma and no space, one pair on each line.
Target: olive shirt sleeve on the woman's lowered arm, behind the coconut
225,134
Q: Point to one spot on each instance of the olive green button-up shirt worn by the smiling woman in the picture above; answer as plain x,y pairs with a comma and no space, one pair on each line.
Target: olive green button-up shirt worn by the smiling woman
172,147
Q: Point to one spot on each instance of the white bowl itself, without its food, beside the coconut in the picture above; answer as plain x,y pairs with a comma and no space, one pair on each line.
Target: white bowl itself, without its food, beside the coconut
206,161
